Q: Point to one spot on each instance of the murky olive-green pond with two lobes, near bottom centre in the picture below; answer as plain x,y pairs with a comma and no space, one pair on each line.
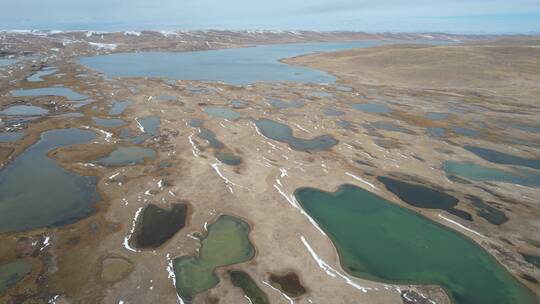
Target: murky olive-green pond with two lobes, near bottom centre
227,243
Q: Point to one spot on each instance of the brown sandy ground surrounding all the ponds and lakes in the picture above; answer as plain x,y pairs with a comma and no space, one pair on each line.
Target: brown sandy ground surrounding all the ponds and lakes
68,267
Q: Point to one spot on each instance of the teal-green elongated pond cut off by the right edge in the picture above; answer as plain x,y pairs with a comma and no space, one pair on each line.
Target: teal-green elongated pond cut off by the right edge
476,172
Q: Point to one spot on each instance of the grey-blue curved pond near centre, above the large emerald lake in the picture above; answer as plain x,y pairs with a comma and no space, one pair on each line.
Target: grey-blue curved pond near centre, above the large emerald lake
283,133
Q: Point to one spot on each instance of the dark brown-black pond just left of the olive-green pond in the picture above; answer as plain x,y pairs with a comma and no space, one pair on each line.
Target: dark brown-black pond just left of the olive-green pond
157,225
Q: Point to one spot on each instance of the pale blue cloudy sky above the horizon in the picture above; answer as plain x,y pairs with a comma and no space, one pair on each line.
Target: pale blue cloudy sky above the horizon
451,16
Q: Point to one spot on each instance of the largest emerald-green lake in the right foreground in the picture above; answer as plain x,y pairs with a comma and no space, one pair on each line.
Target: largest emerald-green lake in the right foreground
379,240
